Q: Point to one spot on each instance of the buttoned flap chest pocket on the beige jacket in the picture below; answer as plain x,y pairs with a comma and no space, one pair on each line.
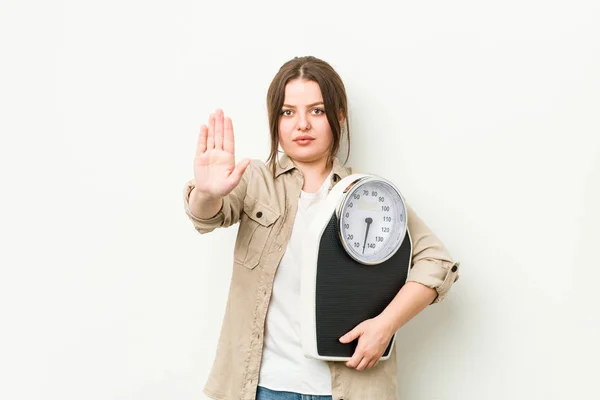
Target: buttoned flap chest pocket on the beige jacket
255,228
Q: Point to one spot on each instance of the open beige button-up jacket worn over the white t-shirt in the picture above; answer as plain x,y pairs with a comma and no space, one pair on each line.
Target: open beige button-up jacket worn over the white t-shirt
266,208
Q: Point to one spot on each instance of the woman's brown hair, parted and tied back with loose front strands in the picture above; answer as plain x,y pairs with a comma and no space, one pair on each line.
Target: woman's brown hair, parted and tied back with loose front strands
334,97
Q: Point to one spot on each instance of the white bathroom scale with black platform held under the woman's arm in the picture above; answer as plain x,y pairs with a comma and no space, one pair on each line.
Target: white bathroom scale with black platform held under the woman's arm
356,257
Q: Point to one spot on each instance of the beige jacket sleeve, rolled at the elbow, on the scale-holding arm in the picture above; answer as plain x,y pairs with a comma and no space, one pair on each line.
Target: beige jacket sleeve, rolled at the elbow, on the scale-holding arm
431,263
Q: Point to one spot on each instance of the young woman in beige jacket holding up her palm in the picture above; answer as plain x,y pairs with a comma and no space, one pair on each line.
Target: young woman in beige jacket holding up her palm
259,355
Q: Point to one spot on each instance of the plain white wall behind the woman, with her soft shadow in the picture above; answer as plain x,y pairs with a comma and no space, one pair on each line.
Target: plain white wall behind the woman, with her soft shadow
485,114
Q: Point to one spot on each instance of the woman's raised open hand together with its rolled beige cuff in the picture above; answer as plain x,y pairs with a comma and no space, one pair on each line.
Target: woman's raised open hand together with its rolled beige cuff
215,197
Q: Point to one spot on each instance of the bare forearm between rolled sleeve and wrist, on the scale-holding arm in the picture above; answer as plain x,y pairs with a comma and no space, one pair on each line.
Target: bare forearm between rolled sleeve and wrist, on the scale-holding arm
410,301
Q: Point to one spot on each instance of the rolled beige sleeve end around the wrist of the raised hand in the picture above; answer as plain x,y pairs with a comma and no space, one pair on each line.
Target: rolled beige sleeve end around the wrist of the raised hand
231,211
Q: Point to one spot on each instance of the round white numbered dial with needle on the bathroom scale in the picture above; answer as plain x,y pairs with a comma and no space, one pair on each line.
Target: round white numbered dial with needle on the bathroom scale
372,220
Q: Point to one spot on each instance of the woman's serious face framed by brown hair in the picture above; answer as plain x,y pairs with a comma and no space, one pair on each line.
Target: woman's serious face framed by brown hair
304,132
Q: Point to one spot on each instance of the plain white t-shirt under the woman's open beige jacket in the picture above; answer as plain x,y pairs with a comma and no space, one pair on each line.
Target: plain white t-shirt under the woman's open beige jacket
284,366
